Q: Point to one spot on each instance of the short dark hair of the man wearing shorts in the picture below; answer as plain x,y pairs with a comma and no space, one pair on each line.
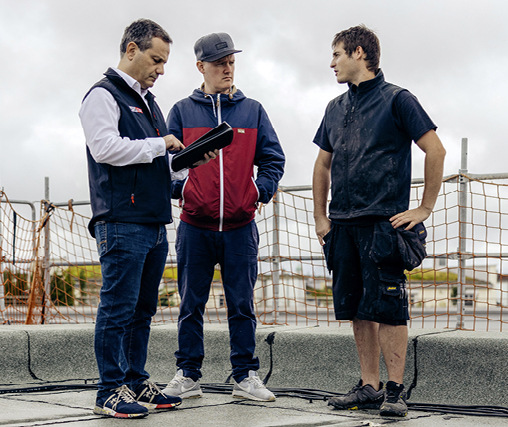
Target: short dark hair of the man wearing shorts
364,37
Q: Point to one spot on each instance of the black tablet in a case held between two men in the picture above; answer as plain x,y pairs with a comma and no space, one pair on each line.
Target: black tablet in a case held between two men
217,138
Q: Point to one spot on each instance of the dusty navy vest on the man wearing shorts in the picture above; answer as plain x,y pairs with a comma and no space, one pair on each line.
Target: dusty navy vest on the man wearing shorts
371,161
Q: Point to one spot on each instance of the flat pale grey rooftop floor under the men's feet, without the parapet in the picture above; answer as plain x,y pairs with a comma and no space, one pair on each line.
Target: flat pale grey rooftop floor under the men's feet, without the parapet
74,408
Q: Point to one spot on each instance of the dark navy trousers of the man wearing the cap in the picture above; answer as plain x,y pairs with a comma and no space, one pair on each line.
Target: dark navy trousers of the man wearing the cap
198,251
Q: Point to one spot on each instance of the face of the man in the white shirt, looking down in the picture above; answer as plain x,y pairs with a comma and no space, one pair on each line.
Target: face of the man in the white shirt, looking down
146,66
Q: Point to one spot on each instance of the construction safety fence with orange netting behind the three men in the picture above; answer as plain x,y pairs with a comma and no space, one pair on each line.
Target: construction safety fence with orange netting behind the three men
50,272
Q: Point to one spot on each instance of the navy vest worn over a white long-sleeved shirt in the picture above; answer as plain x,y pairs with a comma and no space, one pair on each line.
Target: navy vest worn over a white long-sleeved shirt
139,193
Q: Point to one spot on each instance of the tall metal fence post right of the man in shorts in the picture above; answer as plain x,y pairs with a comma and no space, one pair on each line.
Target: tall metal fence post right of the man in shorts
461,308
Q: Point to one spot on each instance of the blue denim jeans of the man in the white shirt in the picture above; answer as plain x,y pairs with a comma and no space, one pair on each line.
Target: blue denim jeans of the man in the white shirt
132,260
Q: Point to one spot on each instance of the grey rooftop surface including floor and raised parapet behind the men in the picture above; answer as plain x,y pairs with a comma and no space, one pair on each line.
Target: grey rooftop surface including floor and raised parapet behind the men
48,374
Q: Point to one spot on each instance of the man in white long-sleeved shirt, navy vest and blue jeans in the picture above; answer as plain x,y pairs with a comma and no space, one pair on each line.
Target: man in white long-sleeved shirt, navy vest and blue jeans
130,190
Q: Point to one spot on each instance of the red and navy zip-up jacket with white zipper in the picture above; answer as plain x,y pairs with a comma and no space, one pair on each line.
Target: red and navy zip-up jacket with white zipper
223,194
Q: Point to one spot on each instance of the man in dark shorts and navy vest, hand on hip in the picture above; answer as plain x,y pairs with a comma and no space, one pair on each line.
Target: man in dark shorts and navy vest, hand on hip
364,145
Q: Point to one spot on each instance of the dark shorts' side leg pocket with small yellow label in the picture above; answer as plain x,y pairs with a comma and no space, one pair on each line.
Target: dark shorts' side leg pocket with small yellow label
392,300
